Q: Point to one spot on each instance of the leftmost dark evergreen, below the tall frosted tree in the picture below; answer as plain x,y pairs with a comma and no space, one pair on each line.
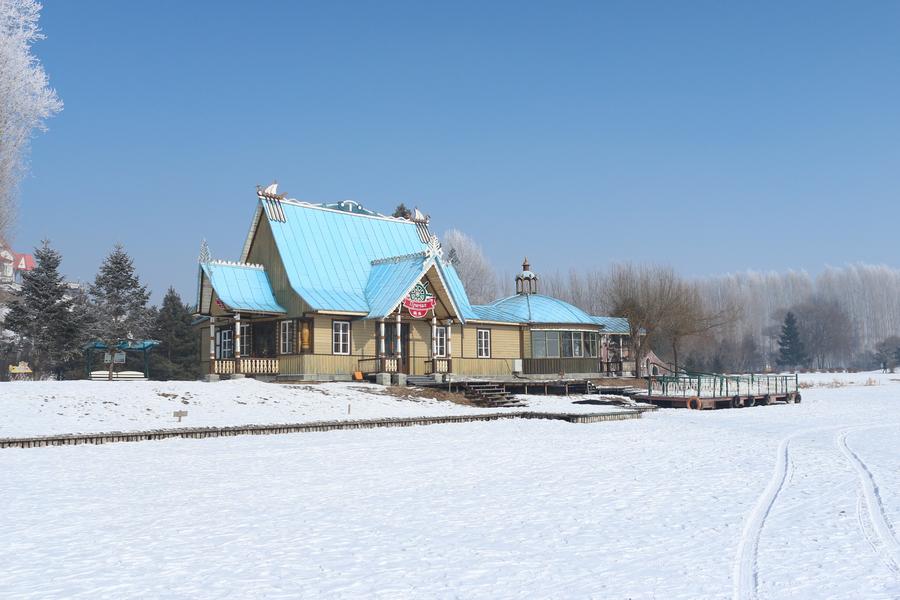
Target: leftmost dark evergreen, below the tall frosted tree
42,315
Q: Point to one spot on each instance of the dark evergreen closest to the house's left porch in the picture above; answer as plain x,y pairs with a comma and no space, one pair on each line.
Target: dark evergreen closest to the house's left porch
176,356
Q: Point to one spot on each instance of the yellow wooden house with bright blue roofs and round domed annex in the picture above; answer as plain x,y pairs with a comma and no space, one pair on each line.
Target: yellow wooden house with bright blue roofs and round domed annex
323,291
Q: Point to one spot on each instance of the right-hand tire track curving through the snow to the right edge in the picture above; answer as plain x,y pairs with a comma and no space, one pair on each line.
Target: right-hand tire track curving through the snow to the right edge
888,548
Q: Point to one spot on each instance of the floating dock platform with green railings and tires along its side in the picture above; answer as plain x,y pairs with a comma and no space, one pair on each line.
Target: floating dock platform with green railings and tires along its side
711,390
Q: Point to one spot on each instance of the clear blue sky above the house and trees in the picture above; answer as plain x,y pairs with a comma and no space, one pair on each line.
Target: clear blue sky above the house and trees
711,136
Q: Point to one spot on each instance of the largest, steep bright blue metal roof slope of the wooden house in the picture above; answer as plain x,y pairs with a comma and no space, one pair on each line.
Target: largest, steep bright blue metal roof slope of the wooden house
328,253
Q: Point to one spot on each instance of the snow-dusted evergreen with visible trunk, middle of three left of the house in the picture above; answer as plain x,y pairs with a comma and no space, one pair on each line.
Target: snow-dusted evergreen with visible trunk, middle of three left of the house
120,301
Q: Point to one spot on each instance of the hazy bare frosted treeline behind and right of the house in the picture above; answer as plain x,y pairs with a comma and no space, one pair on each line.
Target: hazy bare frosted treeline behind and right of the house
847,317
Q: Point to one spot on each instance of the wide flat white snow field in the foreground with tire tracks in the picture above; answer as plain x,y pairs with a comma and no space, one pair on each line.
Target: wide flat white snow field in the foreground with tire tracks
786,501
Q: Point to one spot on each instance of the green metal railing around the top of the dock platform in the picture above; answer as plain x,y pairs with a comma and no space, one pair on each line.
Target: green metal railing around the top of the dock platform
710,385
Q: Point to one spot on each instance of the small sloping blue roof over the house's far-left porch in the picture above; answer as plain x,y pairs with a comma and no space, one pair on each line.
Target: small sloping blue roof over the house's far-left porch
242,287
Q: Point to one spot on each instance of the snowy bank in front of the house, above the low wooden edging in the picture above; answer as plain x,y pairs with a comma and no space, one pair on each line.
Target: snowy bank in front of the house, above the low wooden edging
53,407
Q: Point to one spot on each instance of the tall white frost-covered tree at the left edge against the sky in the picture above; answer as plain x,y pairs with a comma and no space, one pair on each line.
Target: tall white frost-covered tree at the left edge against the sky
26,98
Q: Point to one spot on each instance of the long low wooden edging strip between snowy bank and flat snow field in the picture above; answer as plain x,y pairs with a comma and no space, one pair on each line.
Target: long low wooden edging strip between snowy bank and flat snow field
212,432
